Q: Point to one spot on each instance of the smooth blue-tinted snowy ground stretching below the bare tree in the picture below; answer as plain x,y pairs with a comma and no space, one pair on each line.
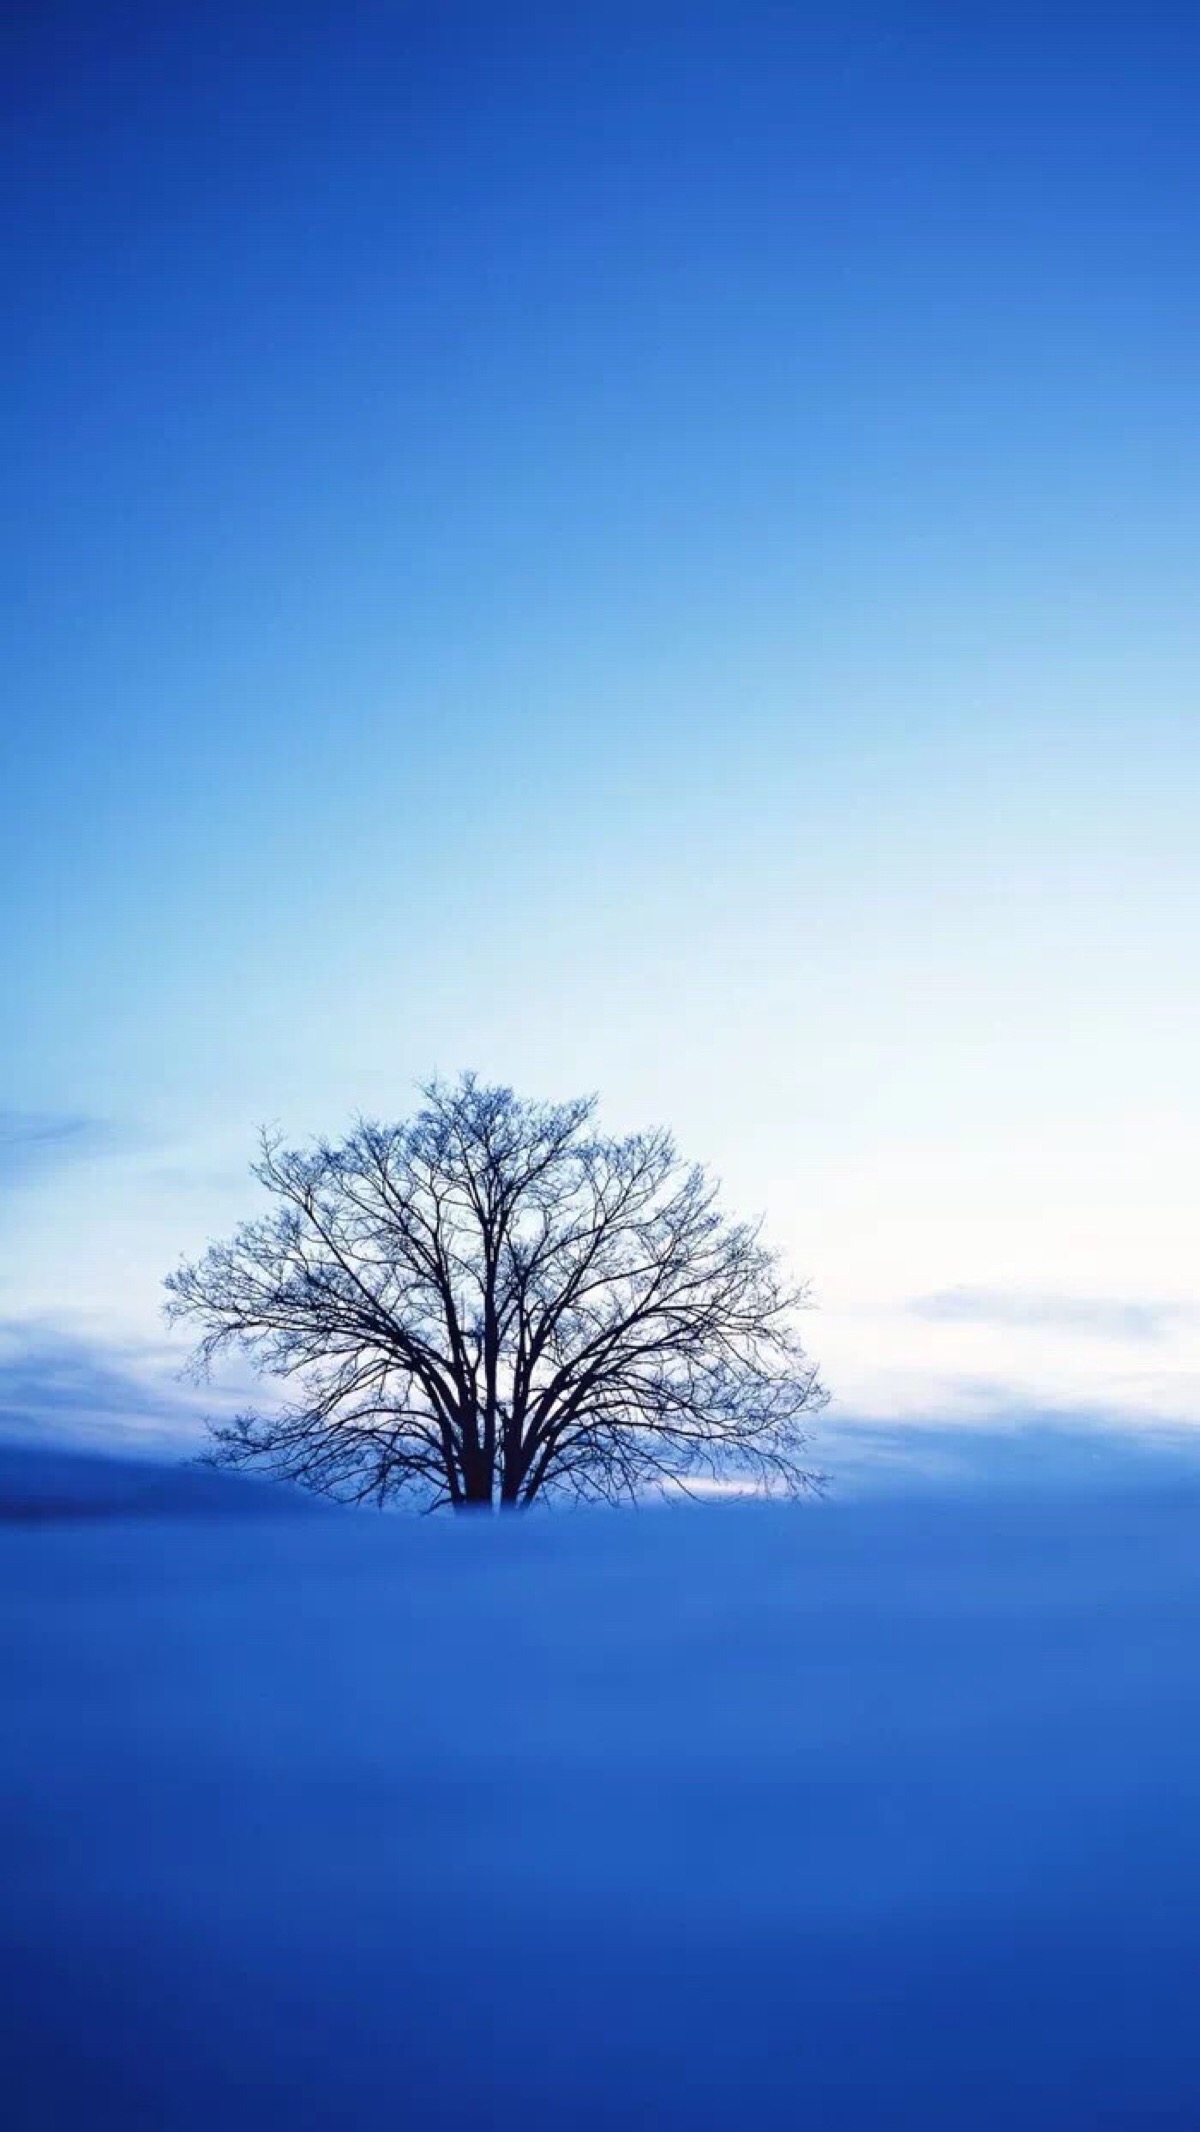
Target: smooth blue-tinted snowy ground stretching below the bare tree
845,1815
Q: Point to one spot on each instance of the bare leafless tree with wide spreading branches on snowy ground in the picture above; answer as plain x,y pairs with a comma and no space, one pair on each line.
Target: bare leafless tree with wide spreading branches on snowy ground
491,1304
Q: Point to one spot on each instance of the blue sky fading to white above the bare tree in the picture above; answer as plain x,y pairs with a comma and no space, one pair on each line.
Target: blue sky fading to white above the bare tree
645,549
